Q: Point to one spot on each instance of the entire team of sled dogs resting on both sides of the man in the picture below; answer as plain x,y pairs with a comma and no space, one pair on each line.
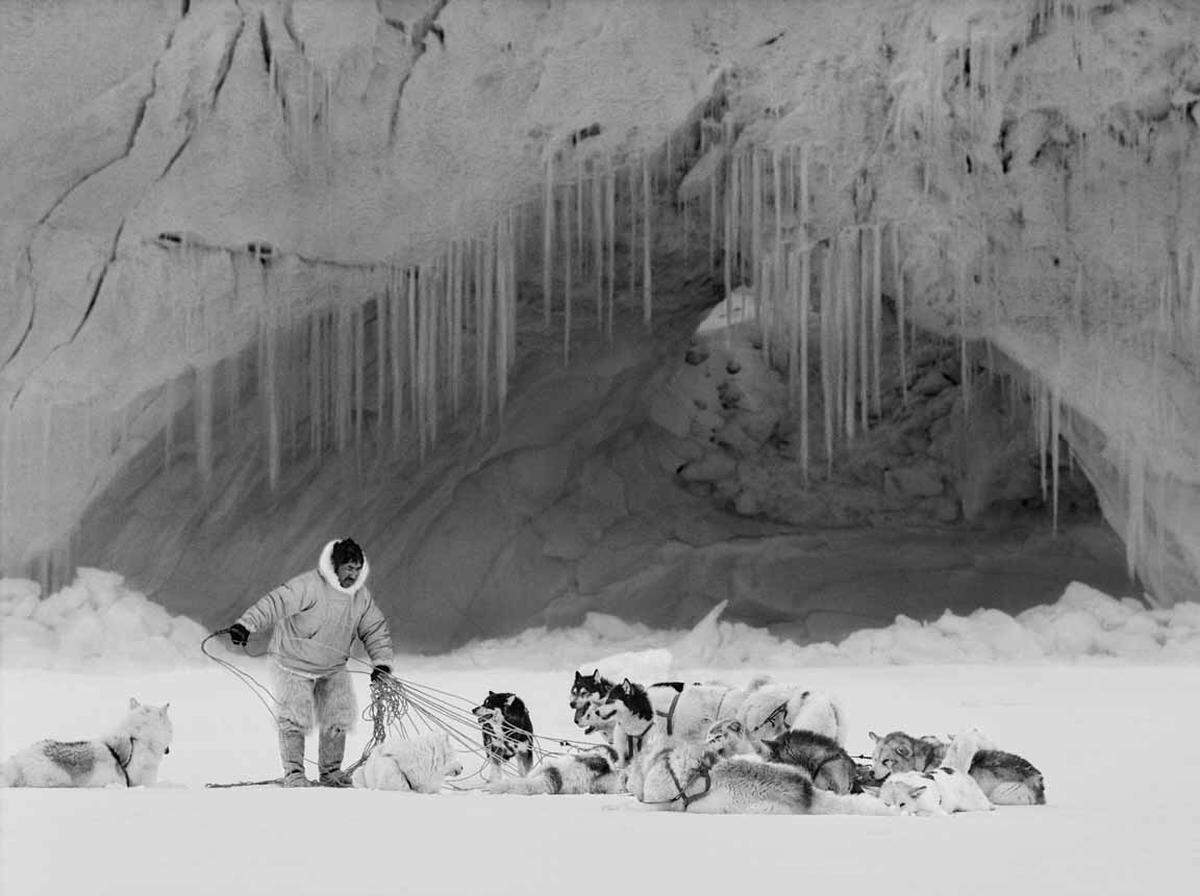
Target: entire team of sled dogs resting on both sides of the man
675,747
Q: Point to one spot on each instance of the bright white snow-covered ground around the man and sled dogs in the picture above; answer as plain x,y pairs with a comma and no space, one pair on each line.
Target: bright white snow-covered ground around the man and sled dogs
1109,723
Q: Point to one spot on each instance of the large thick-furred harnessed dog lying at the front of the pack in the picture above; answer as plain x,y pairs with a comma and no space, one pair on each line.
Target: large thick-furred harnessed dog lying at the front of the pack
705,778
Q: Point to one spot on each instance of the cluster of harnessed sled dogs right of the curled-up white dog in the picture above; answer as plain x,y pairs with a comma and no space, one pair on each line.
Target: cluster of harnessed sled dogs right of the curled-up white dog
764,749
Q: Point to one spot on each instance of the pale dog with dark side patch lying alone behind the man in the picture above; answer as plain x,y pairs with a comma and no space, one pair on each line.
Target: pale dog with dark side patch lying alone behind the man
129,756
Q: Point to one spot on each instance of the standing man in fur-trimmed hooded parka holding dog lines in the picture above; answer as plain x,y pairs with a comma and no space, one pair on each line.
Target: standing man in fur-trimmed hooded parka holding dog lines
317,616
